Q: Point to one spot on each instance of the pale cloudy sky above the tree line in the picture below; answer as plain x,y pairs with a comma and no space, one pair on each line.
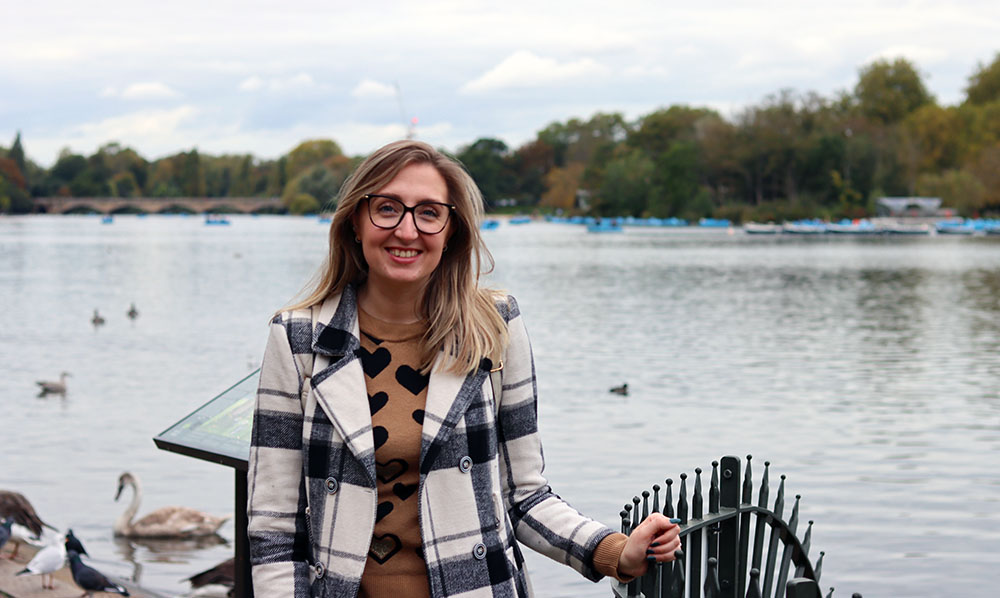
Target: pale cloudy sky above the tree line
257,77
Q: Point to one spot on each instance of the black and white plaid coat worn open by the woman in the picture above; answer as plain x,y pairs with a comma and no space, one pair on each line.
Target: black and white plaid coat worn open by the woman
312,498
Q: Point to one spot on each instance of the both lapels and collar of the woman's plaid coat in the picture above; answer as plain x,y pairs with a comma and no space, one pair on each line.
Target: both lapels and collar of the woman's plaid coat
339,383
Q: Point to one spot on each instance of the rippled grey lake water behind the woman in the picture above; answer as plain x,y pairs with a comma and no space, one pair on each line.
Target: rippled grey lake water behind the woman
864,369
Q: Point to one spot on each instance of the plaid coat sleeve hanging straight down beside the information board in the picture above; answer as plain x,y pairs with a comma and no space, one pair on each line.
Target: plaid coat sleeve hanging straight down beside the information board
279,540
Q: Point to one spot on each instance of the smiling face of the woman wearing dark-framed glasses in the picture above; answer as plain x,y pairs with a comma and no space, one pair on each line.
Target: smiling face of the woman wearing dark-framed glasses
403,255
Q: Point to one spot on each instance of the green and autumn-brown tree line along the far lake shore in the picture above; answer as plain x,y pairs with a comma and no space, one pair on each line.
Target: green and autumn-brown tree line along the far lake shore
793,155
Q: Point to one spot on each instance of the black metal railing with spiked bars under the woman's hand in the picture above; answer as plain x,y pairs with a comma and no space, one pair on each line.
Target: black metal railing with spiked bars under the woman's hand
717,545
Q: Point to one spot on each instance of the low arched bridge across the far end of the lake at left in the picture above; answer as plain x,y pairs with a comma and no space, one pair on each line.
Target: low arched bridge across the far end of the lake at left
156,205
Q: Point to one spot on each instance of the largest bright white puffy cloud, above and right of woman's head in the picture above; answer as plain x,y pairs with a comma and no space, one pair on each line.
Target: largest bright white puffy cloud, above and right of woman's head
524,69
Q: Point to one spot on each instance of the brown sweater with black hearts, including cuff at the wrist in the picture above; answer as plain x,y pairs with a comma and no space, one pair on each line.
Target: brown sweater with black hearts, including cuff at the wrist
397,393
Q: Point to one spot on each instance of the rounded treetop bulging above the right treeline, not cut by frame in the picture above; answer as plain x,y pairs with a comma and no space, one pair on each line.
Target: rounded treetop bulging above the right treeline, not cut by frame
887,92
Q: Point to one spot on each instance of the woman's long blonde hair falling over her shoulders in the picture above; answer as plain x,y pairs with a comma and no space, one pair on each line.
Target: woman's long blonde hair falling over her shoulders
463,320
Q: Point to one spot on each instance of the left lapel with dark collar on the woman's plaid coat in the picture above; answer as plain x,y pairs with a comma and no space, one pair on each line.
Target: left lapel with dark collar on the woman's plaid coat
338,379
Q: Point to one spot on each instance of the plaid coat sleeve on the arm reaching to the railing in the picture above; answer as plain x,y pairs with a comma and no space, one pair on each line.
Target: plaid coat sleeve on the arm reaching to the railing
541,519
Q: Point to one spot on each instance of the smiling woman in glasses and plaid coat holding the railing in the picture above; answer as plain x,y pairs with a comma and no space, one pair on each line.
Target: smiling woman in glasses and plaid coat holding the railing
381,462
